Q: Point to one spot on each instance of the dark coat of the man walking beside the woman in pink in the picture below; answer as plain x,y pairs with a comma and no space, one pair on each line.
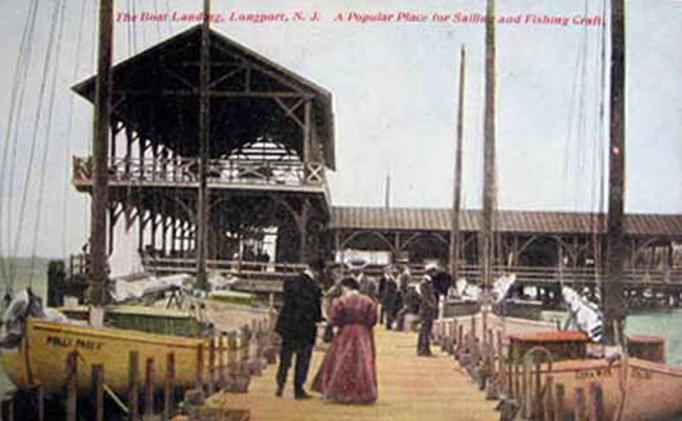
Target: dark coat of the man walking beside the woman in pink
302,309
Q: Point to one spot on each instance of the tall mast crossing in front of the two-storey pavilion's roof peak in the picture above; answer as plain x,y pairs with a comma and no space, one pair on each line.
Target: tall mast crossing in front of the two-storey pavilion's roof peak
204,138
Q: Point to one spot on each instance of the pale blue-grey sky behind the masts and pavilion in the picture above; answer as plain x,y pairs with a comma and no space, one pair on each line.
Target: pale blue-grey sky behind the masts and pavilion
394,87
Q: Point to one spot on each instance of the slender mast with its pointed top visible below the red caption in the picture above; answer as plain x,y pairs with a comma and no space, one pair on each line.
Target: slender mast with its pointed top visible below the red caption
455,233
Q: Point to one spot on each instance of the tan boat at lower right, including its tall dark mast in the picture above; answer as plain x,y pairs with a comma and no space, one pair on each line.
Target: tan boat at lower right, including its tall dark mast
631,375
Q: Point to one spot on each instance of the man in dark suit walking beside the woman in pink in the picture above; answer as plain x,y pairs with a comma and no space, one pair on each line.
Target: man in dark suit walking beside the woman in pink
297,325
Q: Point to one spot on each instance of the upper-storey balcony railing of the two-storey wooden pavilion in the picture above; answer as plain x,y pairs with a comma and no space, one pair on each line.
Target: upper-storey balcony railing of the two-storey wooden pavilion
219,171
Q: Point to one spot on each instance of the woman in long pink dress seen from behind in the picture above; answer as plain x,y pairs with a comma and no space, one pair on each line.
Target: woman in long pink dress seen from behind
349,369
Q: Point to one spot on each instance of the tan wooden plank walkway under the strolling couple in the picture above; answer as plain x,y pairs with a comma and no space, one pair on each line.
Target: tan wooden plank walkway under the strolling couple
410,388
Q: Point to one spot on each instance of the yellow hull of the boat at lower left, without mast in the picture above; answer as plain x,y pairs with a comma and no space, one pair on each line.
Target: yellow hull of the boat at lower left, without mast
41,357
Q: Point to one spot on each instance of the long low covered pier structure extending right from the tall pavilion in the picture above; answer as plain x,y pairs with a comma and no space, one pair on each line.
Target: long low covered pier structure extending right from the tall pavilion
541,248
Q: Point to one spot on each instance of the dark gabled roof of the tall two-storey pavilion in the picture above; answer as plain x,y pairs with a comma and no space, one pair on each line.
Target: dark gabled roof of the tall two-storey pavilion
252,98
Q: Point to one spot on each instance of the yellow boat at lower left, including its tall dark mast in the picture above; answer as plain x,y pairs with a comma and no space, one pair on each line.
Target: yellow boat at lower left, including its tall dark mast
35,349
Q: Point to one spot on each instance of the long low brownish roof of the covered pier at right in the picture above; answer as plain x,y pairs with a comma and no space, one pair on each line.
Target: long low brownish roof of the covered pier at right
413,219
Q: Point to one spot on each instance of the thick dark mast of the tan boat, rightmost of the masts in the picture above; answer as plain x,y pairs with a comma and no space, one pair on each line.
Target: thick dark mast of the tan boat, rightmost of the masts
614,308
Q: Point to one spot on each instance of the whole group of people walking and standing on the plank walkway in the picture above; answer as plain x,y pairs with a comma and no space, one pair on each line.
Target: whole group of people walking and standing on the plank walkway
348,371
